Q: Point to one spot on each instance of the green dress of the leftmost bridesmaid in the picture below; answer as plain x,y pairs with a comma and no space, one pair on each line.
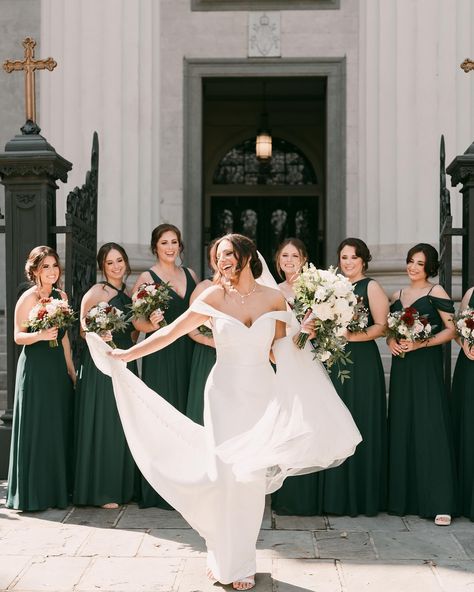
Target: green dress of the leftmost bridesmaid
39,475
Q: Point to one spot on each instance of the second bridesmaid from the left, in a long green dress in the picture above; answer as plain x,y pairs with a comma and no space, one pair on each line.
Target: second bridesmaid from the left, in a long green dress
104,467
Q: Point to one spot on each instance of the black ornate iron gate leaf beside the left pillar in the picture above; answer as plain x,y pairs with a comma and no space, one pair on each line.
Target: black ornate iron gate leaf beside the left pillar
81,240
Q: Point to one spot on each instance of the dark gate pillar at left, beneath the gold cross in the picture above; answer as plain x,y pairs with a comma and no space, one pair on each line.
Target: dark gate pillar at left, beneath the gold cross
29,169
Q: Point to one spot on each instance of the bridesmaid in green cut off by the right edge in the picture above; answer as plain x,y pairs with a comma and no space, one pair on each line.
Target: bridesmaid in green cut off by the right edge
463,416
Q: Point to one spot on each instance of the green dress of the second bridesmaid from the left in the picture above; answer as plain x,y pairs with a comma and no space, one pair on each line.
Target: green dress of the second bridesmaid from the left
104,468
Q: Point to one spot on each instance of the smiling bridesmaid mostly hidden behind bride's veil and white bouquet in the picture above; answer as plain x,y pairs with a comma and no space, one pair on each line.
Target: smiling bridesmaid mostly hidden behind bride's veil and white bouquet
302,495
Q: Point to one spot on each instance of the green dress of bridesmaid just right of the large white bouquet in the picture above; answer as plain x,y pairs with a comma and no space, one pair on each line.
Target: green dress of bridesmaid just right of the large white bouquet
359,485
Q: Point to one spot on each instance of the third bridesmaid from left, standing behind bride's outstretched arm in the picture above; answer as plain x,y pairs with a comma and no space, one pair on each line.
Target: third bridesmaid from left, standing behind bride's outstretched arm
167,371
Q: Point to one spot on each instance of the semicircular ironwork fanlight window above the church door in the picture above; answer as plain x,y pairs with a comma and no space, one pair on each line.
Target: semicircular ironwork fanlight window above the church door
288,166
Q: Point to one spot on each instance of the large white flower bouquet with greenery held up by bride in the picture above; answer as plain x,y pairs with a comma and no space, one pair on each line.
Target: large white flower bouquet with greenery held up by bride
328,298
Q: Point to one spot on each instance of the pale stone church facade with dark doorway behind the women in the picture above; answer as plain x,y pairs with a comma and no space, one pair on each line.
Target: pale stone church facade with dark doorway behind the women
355,93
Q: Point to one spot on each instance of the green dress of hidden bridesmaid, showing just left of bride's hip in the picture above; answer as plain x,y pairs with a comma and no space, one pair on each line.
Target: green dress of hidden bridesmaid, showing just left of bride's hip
204,358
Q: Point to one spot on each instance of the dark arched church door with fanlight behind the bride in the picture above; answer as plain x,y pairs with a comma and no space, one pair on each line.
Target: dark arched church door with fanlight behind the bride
268,201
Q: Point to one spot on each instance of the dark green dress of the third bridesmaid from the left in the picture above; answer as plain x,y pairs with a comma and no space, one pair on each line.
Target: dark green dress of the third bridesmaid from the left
167,372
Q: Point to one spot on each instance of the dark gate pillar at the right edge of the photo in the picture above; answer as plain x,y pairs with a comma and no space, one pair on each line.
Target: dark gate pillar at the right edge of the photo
462,171
